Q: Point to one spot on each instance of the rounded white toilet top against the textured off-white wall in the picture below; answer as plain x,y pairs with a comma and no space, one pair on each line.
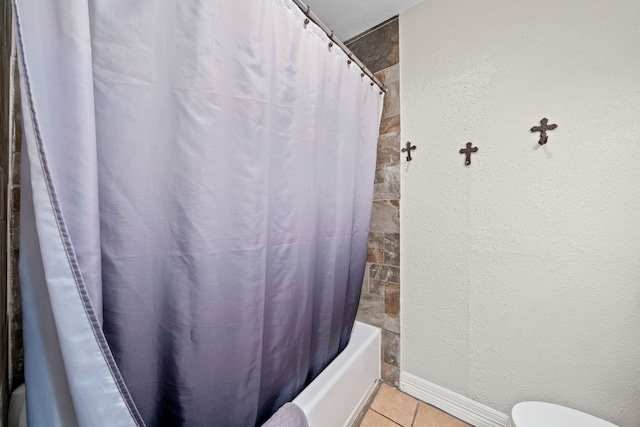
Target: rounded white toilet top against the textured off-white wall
542,414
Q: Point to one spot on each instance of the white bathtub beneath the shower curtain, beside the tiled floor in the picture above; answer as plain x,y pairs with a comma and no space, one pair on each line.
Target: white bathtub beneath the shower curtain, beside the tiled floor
336,396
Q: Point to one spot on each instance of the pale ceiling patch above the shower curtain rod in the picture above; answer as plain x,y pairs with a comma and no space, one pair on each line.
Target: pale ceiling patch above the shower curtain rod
348,18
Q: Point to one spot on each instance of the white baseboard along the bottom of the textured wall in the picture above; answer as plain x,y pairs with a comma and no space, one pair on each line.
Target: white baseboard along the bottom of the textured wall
455,404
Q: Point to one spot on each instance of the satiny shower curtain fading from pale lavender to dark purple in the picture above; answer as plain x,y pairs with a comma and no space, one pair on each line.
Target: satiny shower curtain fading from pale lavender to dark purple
197,184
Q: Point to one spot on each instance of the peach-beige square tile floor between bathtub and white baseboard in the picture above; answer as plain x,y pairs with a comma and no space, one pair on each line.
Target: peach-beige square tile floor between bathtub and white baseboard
392,408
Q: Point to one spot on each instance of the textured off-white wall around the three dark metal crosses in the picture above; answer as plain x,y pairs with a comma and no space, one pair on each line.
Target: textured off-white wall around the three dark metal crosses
521,272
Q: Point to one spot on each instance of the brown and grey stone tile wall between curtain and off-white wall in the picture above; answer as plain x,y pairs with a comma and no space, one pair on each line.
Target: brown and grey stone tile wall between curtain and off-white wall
378,48
